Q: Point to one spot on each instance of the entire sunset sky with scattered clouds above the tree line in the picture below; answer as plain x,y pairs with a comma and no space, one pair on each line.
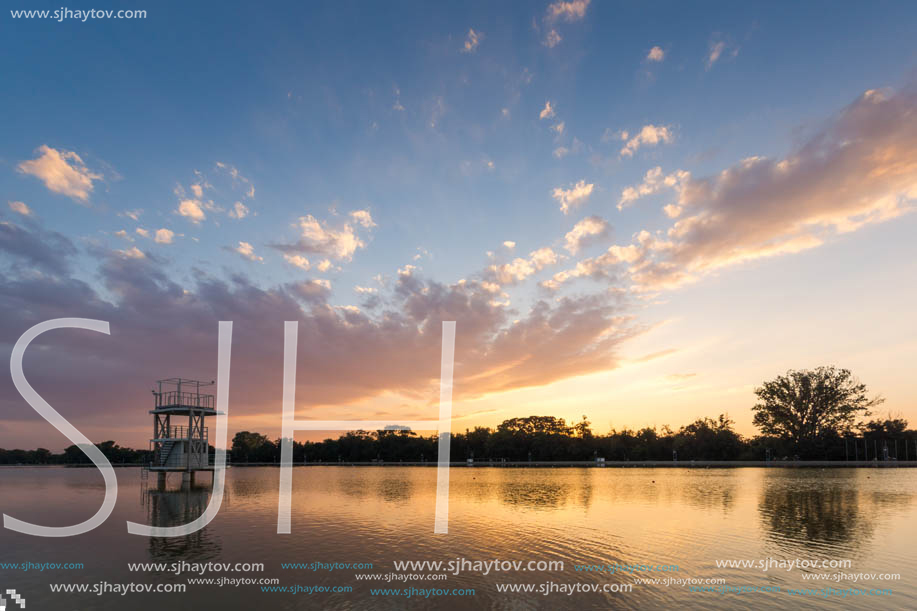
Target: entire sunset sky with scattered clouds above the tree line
636,213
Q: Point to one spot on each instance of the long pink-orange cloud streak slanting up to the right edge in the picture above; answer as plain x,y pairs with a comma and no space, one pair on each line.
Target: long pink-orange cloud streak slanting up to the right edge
858,169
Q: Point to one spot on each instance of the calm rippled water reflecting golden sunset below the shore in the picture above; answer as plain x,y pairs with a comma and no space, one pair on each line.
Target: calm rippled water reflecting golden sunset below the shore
683,517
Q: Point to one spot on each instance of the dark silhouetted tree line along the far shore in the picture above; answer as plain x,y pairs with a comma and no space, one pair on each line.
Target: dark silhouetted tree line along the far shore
818,414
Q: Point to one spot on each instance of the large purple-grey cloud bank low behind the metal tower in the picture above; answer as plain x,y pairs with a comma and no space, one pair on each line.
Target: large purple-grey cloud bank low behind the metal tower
345,354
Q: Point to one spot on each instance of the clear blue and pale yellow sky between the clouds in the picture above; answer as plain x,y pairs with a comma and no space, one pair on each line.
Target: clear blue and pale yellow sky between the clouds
452,128
